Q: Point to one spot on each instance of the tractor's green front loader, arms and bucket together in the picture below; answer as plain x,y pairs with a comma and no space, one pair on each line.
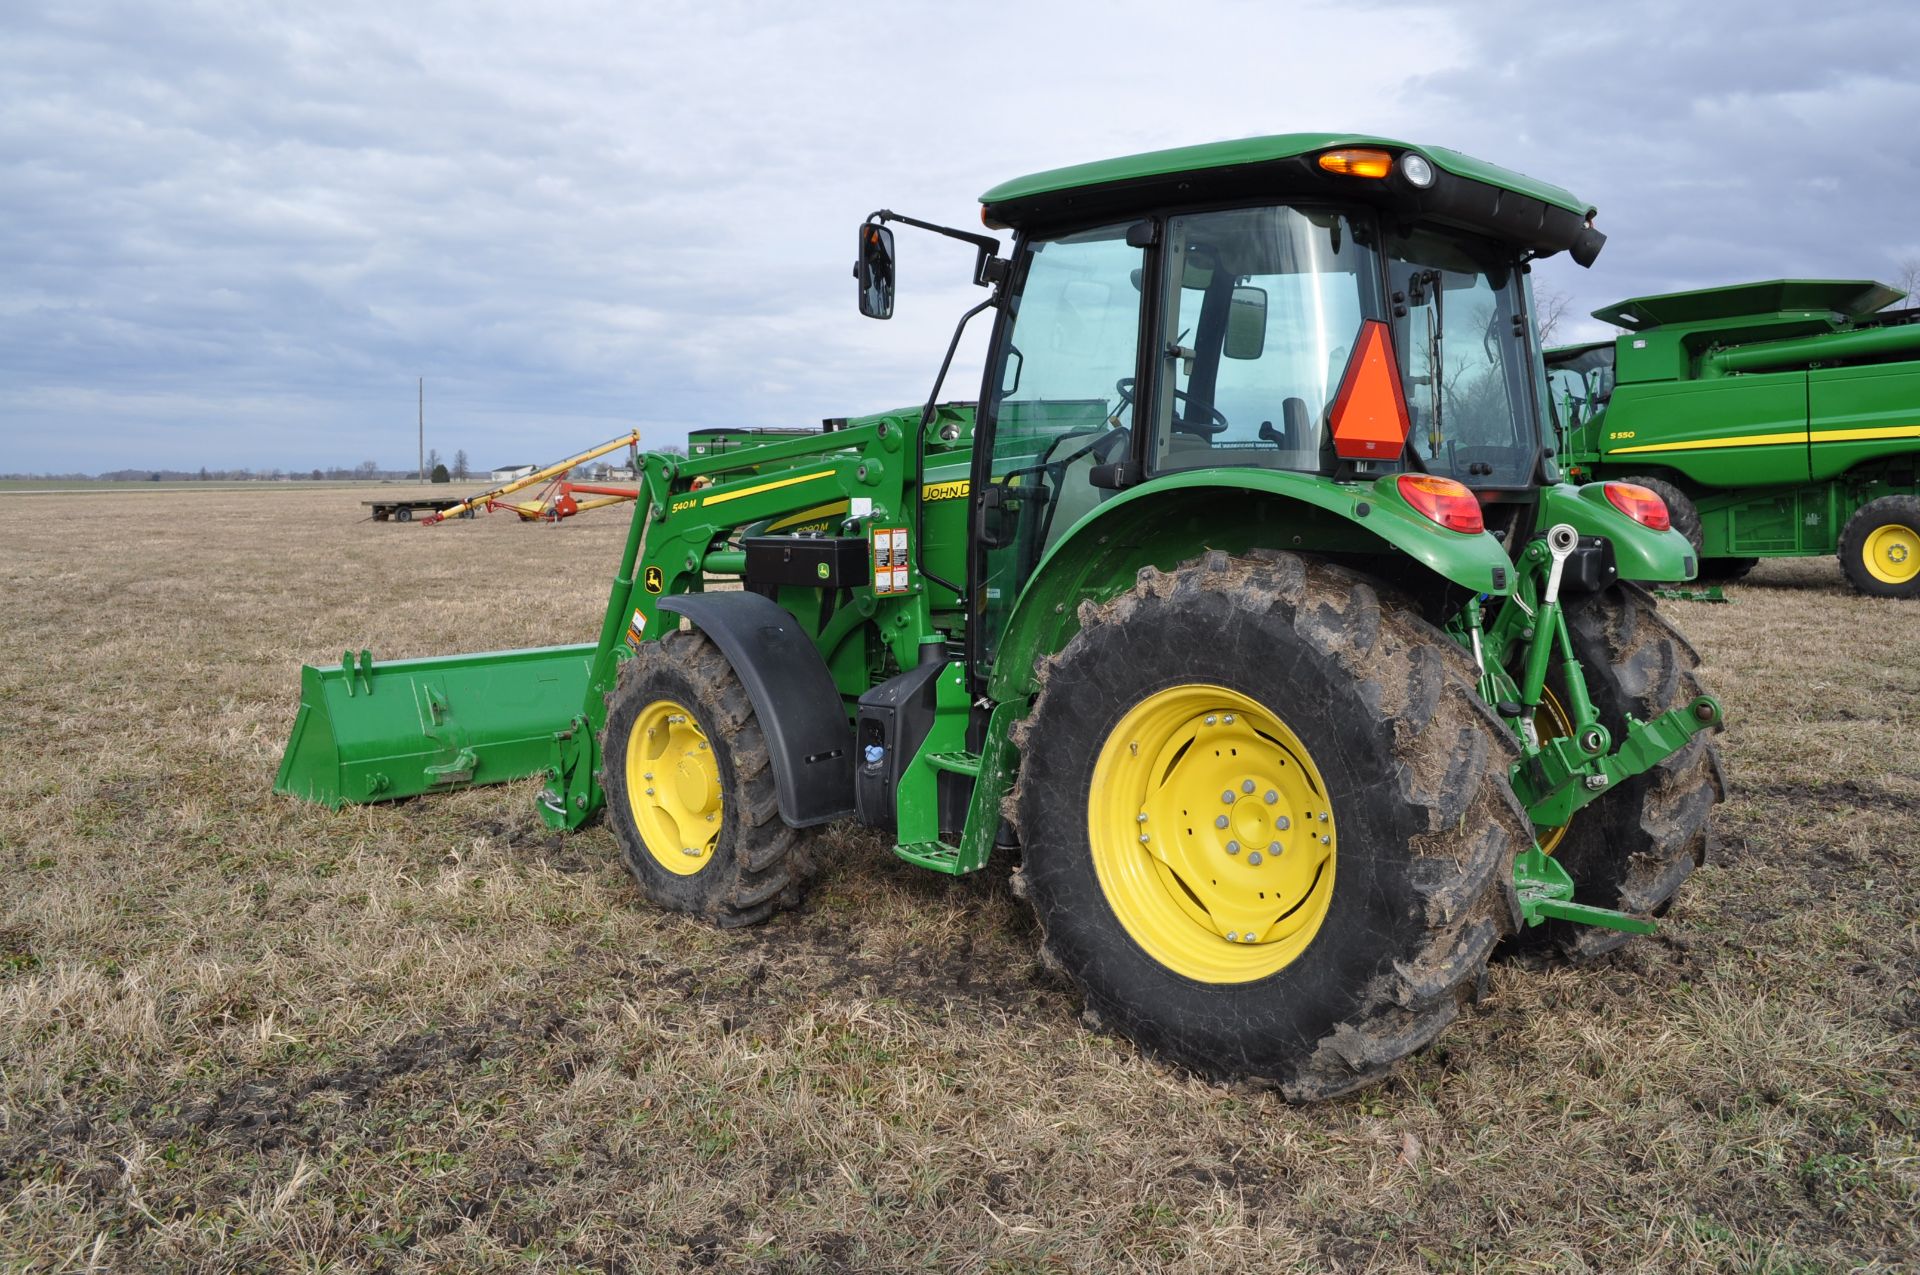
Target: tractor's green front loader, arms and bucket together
385,731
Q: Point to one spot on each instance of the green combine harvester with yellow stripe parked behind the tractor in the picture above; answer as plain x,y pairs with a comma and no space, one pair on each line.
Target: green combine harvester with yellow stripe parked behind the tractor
1775,420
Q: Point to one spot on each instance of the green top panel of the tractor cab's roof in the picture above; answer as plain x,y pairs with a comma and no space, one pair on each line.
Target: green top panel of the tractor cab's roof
1257,151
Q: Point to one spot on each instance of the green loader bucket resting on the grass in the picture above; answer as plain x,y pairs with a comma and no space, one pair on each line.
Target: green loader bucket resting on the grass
377,733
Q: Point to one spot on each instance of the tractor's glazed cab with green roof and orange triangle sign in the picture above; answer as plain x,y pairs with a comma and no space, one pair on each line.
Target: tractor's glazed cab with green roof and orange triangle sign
1310,306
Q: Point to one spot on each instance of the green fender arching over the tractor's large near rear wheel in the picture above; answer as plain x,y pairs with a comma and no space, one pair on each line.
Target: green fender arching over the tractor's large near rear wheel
1178,517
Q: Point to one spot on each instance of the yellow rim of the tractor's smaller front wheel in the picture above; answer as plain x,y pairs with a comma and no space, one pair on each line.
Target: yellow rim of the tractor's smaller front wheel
673,788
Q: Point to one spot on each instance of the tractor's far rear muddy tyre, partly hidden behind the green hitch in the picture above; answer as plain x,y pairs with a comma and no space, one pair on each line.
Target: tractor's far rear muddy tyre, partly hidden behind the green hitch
1635,846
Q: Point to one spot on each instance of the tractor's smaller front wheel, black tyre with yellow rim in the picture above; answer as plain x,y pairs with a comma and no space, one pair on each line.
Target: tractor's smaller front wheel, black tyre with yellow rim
690,792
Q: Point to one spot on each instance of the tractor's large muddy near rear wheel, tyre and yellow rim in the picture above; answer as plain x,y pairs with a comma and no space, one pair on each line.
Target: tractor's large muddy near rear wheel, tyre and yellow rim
1266,823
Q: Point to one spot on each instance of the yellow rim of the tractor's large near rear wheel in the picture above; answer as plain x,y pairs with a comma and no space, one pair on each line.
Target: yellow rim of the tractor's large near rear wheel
1212,834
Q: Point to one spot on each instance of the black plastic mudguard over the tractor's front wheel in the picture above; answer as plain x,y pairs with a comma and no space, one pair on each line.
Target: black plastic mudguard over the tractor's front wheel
809,734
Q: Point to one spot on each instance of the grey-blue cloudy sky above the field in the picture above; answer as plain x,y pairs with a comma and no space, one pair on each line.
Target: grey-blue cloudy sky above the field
233,235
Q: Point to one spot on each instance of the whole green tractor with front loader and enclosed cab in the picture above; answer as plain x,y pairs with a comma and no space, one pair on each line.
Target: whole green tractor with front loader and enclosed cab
1245,612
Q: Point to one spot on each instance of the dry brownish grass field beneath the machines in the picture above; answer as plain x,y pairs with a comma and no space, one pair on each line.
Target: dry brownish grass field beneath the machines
245,1034
